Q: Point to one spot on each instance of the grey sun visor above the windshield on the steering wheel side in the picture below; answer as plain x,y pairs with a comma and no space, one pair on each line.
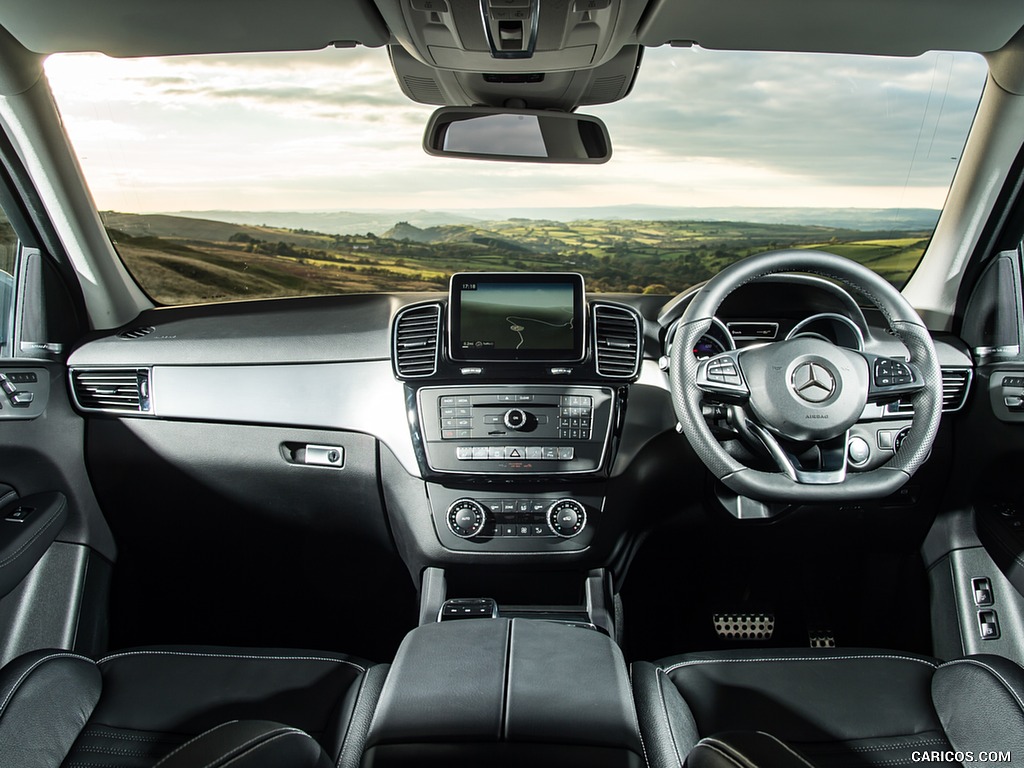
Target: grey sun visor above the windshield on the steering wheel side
903,28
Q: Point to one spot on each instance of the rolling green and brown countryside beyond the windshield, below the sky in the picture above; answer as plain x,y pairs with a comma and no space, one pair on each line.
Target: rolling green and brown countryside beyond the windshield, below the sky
181,261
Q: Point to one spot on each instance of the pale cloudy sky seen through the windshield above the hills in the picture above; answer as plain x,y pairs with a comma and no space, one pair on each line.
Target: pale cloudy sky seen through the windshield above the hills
331,131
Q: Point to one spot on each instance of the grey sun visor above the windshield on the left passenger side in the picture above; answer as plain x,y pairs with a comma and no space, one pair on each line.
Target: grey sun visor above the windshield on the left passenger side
131,28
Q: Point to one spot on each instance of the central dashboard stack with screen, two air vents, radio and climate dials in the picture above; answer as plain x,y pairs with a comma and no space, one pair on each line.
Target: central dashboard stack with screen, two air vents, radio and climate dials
515,387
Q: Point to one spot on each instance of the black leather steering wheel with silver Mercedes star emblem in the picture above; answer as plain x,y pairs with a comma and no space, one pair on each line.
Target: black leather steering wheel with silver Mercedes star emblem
805,394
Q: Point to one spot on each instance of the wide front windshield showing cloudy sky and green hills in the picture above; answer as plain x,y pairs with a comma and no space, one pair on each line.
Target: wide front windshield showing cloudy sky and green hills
265,176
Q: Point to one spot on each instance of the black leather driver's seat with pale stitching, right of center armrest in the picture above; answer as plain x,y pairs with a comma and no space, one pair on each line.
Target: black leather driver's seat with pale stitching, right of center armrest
843,709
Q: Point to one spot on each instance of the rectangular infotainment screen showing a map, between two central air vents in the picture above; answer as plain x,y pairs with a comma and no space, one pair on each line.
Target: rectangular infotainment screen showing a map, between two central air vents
517,317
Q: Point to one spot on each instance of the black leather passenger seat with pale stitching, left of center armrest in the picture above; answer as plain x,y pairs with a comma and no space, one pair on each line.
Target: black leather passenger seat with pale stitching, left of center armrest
134,709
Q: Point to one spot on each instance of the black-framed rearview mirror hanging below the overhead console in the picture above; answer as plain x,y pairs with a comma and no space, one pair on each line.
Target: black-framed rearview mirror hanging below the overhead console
517,136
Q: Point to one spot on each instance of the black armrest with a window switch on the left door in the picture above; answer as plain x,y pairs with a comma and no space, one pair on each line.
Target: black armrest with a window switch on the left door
28,527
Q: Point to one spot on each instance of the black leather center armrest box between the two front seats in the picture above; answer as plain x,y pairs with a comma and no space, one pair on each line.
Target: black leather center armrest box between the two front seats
505,693
